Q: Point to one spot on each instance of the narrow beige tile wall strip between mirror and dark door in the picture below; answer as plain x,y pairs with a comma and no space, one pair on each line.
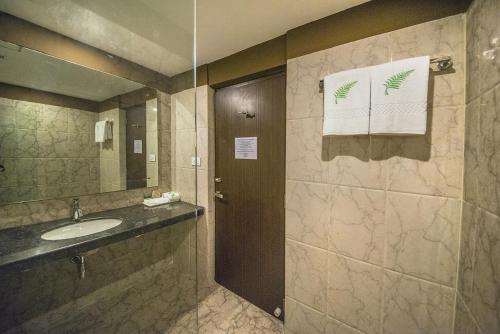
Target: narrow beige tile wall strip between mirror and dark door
196,185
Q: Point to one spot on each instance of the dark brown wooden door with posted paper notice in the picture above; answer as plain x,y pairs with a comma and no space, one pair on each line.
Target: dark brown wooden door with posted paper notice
250,223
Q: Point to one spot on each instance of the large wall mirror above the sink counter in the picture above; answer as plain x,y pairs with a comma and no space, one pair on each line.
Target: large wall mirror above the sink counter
68,130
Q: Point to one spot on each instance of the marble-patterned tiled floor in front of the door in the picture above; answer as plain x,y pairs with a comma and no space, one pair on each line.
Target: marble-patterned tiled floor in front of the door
223,312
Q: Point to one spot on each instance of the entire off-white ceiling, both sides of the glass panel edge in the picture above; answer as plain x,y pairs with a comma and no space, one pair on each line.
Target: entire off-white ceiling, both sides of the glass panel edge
158,33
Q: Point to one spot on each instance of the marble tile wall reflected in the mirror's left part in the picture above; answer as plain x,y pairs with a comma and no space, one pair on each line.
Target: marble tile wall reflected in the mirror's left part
48,151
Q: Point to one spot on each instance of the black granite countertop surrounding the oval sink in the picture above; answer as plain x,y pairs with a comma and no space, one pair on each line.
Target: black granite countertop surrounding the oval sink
23,246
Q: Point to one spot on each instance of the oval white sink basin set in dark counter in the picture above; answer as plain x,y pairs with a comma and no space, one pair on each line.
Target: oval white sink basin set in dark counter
81,229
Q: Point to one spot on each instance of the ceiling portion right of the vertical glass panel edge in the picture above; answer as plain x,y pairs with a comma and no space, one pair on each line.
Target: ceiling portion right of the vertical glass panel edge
229,26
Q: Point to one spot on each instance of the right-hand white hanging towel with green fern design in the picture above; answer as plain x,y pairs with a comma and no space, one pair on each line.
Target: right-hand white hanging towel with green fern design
399,97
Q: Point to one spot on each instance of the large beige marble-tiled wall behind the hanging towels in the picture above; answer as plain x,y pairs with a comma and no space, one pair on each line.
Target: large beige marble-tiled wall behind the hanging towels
373,222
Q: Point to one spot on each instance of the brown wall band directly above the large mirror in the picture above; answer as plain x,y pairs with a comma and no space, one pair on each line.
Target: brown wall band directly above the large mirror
24,33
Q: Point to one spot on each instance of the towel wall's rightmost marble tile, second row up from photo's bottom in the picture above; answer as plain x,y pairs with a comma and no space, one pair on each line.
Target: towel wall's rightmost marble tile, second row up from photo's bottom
422,236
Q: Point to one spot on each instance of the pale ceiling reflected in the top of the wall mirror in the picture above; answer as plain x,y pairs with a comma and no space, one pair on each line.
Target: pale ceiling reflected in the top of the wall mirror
27,68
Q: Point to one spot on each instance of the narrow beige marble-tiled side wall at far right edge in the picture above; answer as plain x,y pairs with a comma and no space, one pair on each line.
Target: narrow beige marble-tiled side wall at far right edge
478,301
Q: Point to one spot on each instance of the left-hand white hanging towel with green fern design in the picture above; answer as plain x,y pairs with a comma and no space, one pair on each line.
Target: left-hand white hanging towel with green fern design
347,102
